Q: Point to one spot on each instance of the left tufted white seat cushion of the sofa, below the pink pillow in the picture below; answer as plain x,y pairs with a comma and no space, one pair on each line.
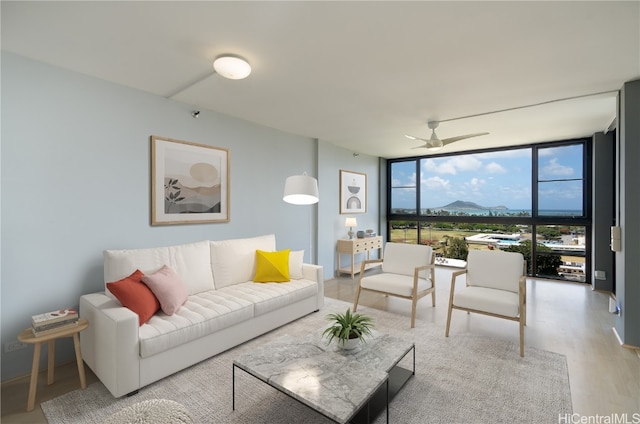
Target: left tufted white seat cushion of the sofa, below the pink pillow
202,314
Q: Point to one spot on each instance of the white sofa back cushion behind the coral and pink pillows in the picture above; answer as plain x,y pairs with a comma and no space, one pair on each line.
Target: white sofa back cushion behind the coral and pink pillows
192,263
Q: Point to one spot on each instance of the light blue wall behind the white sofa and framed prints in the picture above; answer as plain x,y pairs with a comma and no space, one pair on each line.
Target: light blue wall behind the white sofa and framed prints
75,164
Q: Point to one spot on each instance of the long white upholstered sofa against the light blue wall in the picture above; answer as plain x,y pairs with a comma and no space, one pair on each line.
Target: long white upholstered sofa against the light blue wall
224,308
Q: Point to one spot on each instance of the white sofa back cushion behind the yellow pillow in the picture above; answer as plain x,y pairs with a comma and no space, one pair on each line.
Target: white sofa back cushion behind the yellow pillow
233,261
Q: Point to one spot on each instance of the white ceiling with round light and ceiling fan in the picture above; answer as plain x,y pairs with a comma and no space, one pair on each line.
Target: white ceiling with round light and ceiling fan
357,74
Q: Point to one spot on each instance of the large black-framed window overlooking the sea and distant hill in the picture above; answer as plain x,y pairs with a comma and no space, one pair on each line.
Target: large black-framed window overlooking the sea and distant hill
533,199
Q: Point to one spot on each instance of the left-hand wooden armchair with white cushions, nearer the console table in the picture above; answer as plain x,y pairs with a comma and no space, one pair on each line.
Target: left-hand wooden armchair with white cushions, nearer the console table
407,272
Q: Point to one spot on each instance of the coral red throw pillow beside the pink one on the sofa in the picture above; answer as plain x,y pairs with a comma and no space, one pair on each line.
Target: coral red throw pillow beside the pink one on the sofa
135,295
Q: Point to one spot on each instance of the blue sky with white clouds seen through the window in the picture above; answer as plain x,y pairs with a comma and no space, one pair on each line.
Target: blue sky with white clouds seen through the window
501,178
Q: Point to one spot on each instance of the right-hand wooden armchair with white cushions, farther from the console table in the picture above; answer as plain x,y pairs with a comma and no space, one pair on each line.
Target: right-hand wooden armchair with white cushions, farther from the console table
496,286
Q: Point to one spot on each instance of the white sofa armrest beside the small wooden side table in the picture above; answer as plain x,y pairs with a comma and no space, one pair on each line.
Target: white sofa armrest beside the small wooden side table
110,345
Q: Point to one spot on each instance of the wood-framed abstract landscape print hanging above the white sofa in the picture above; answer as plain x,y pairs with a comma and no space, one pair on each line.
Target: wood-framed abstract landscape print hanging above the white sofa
189,182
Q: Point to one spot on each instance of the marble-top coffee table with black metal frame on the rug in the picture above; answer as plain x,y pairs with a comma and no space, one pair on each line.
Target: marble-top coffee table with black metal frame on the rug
343,385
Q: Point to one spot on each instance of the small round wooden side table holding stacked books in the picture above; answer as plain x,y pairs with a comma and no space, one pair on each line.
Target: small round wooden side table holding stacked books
27,336
